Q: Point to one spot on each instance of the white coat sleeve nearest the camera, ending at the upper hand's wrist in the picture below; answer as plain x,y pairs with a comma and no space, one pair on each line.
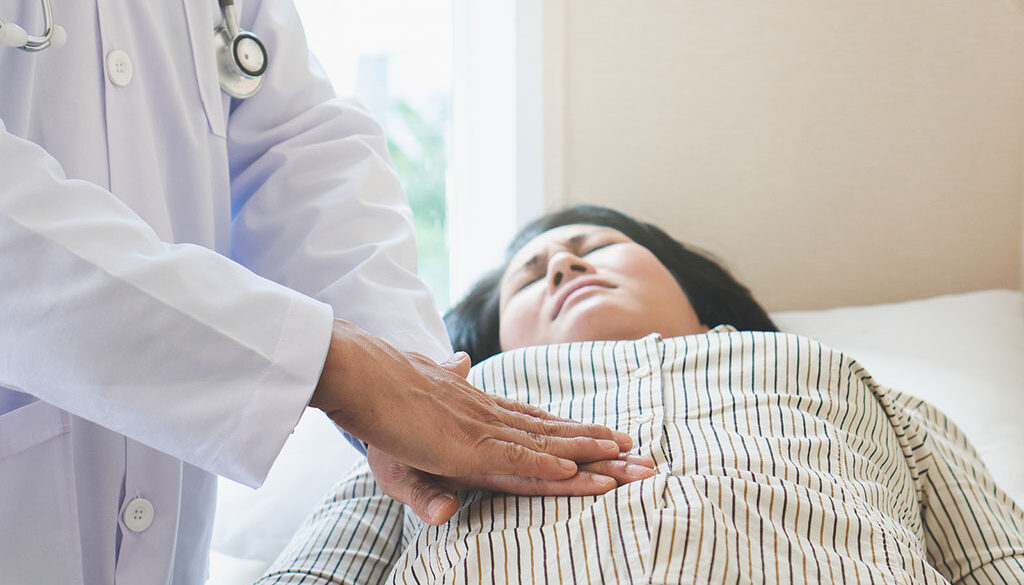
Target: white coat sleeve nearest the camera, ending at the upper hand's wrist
174,346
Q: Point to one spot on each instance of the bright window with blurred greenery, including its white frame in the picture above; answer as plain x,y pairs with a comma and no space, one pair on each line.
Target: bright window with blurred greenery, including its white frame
457,86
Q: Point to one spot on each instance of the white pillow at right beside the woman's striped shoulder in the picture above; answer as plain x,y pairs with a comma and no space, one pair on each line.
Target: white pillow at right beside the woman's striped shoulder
965,354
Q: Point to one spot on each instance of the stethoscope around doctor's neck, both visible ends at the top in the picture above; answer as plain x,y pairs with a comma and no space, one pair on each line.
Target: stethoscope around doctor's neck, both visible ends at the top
242,58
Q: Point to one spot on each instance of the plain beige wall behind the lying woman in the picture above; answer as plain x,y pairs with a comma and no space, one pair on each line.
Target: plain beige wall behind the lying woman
831,153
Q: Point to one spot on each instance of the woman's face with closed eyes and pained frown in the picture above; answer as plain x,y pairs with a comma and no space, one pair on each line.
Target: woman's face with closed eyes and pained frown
584,283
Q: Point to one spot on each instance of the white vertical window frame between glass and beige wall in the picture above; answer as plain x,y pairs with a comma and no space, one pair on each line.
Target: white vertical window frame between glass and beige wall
507,106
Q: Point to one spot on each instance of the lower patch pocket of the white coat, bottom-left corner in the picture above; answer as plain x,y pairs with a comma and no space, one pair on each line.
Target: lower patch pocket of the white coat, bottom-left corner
39,541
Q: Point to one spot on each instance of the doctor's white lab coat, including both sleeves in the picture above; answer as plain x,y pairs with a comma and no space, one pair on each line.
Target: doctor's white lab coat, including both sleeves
137,359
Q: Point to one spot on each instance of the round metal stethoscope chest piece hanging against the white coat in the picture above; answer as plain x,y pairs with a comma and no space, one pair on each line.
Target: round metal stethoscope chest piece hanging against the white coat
242,58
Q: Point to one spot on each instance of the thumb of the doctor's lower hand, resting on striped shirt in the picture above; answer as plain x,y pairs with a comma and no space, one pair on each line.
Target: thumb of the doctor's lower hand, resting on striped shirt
430,498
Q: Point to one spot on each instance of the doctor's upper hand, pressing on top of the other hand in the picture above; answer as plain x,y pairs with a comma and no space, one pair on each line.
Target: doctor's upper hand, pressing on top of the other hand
429,416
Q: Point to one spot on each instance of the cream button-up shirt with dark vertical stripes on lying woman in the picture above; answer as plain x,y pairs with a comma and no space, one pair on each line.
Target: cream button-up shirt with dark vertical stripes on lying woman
779,461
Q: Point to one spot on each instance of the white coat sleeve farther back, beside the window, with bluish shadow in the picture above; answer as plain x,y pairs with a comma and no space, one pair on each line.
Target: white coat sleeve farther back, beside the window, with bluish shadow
317,203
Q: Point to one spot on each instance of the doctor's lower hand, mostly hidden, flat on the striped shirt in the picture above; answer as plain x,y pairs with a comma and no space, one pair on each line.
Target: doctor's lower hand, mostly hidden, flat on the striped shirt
434,498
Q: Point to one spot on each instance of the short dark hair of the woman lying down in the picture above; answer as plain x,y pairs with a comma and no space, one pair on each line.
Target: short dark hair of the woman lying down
717,298
